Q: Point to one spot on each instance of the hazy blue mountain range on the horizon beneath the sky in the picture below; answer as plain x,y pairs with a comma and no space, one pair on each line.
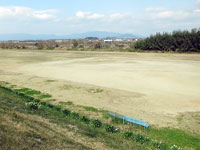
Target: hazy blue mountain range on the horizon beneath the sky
98,34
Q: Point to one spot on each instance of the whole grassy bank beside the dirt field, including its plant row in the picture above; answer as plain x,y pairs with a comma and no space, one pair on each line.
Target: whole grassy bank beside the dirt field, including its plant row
28,119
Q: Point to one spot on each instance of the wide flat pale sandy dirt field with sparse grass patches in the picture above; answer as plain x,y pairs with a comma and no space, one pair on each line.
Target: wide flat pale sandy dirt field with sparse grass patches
162,89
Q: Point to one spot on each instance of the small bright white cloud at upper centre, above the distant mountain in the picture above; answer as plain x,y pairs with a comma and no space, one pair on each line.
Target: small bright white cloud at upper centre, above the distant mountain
89,15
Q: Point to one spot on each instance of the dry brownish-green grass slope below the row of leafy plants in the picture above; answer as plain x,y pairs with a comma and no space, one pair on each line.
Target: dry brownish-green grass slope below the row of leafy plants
46,129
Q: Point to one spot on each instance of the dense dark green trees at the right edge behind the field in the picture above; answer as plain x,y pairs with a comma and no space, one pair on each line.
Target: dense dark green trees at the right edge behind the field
177,41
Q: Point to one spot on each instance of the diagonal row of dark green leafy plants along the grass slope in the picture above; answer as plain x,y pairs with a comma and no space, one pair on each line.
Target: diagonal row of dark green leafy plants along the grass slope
35,104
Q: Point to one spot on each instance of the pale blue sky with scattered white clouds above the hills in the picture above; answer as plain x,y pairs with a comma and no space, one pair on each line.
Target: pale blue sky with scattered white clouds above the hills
64,17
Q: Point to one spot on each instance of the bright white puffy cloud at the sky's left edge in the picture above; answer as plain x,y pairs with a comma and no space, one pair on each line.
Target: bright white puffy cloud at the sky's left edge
15,12
